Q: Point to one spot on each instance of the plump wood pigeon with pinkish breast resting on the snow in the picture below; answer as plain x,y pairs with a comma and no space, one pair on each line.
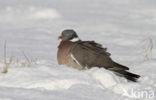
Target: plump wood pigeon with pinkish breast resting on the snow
83,55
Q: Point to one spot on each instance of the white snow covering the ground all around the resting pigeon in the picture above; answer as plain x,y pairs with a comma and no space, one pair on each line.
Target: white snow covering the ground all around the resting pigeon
33,26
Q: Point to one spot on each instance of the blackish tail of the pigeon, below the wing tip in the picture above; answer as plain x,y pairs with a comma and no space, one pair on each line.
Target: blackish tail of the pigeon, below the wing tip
130,76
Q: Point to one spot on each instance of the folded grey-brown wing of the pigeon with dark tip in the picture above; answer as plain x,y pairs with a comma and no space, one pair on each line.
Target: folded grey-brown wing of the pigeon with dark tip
90,54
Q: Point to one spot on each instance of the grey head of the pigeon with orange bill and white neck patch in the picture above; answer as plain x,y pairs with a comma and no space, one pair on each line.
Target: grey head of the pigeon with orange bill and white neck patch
69,35
